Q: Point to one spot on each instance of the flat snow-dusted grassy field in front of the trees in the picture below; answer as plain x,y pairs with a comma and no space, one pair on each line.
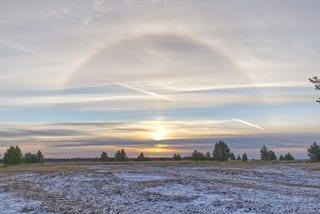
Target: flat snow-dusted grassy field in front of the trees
161,187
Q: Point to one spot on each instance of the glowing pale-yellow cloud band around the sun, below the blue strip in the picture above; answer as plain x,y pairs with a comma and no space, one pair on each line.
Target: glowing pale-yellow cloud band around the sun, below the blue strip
128,131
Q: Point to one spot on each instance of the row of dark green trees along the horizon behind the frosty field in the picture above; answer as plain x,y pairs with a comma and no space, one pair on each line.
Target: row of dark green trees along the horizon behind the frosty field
221,152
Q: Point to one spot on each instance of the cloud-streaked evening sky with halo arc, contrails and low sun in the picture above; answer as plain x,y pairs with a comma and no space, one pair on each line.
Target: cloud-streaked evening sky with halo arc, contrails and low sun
78,77
